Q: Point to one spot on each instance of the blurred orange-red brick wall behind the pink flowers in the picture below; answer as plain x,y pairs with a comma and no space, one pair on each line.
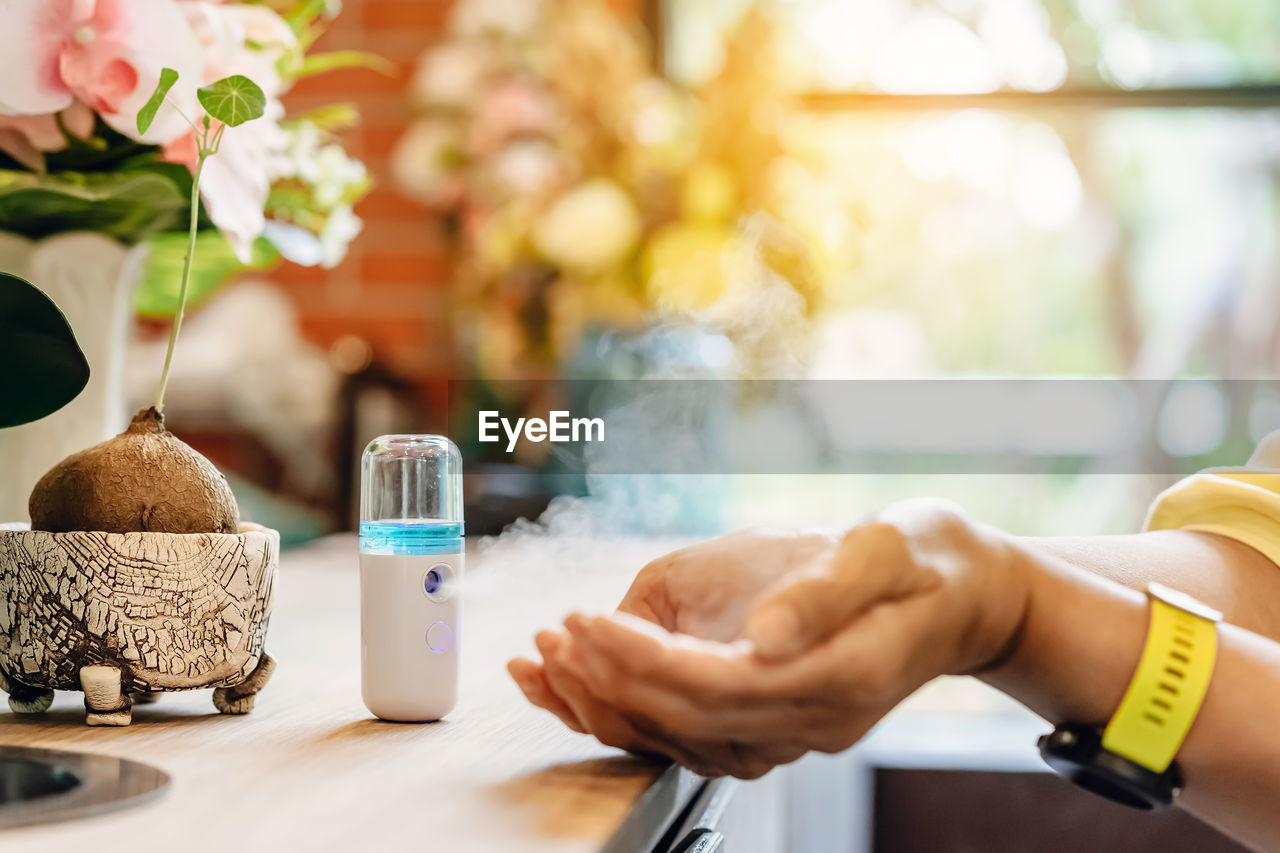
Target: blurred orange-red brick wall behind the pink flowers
392,288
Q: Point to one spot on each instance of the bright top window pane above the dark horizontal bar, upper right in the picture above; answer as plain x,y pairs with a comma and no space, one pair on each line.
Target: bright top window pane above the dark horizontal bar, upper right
981,45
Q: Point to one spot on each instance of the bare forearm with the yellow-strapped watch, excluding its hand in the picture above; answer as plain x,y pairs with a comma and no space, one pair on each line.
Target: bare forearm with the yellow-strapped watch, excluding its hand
1078,649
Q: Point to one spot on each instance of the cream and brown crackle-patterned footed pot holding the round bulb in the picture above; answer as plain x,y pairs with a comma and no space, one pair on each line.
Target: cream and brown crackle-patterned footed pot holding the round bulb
121,614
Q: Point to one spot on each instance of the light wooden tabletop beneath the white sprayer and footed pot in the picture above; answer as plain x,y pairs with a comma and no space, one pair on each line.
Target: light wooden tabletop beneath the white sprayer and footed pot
312,770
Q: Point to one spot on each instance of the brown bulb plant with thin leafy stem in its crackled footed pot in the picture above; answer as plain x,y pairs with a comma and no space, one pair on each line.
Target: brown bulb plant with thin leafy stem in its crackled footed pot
136,542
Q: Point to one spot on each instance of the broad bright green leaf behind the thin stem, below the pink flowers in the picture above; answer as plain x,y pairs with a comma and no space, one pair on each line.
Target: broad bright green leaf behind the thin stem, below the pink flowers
216,263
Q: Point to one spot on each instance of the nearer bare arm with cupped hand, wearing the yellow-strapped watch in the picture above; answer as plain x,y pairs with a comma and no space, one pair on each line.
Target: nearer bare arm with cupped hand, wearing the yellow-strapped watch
915,594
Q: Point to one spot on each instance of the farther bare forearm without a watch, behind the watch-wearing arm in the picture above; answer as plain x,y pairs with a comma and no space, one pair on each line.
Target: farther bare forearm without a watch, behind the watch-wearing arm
1223,573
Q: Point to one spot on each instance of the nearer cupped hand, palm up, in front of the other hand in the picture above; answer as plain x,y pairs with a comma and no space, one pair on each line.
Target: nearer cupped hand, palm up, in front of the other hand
915,594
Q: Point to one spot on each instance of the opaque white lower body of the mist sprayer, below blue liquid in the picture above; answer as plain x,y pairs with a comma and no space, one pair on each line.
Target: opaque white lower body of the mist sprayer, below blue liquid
410,637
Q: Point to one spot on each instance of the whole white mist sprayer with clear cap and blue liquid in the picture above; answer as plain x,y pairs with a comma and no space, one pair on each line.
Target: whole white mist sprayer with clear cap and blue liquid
410,577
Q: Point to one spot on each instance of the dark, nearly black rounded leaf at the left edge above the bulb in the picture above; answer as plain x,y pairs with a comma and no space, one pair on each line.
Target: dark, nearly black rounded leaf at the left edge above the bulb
44,366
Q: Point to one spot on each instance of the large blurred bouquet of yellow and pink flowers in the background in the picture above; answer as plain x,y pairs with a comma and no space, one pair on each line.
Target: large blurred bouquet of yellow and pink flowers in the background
584,193
